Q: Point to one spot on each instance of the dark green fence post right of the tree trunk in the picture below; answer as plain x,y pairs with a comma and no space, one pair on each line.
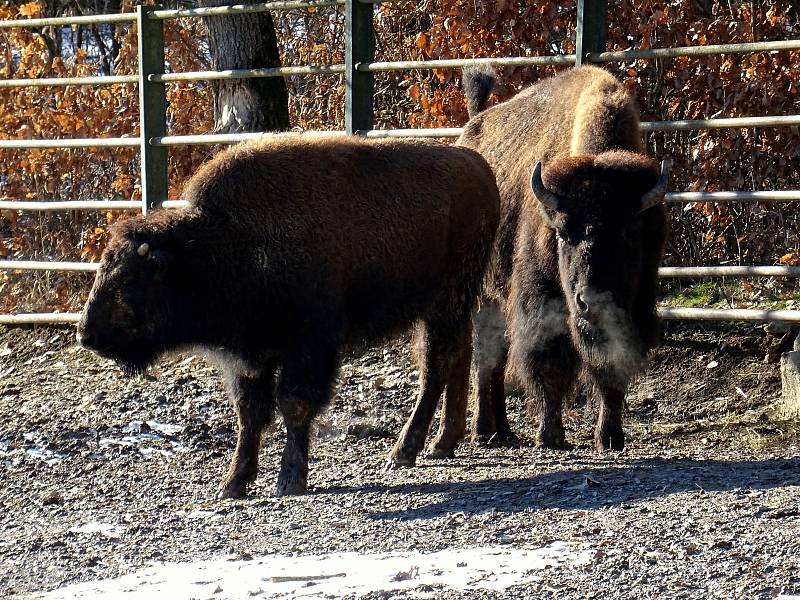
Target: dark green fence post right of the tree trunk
359,48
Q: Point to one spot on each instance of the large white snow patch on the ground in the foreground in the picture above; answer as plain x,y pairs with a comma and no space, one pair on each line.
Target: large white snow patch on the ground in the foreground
332,575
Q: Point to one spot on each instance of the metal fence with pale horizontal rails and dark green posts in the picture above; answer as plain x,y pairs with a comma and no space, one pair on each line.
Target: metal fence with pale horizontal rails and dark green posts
358,70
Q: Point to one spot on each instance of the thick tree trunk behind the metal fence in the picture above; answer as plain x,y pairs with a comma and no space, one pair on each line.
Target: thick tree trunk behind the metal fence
245,42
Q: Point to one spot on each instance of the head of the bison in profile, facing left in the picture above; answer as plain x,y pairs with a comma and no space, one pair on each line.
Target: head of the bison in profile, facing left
126,317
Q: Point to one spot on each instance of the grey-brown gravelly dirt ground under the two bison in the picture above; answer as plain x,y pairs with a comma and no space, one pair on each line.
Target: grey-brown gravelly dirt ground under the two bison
103,475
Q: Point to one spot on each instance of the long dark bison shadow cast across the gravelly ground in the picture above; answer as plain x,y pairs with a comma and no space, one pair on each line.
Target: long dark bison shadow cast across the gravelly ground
588,488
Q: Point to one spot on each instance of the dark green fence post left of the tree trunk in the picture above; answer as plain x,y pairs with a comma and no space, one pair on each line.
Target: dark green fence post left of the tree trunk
152,108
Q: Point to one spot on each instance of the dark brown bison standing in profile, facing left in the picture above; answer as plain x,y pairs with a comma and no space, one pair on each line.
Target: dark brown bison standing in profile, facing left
293,250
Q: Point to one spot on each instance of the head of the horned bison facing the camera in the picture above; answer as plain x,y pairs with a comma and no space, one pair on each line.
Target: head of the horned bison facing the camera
598,207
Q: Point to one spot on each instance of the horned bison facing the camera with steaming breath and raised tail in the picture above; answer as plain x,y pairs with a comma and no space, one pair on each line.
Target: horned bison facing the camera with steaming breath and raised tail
573,277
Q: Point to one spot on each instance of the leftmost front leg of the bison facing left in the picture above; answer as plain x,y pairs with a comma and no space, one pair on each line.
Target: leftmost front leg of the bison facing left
253,399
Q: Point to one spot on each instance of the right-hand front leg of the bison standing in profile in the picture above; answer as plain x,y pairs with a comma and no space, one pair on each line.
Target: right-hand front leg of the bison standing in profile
304,389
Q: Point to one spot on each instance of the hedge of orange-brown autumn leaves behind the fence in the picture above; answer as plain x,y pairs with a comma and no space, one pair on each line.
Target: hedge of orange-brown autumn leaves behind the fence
684,88
